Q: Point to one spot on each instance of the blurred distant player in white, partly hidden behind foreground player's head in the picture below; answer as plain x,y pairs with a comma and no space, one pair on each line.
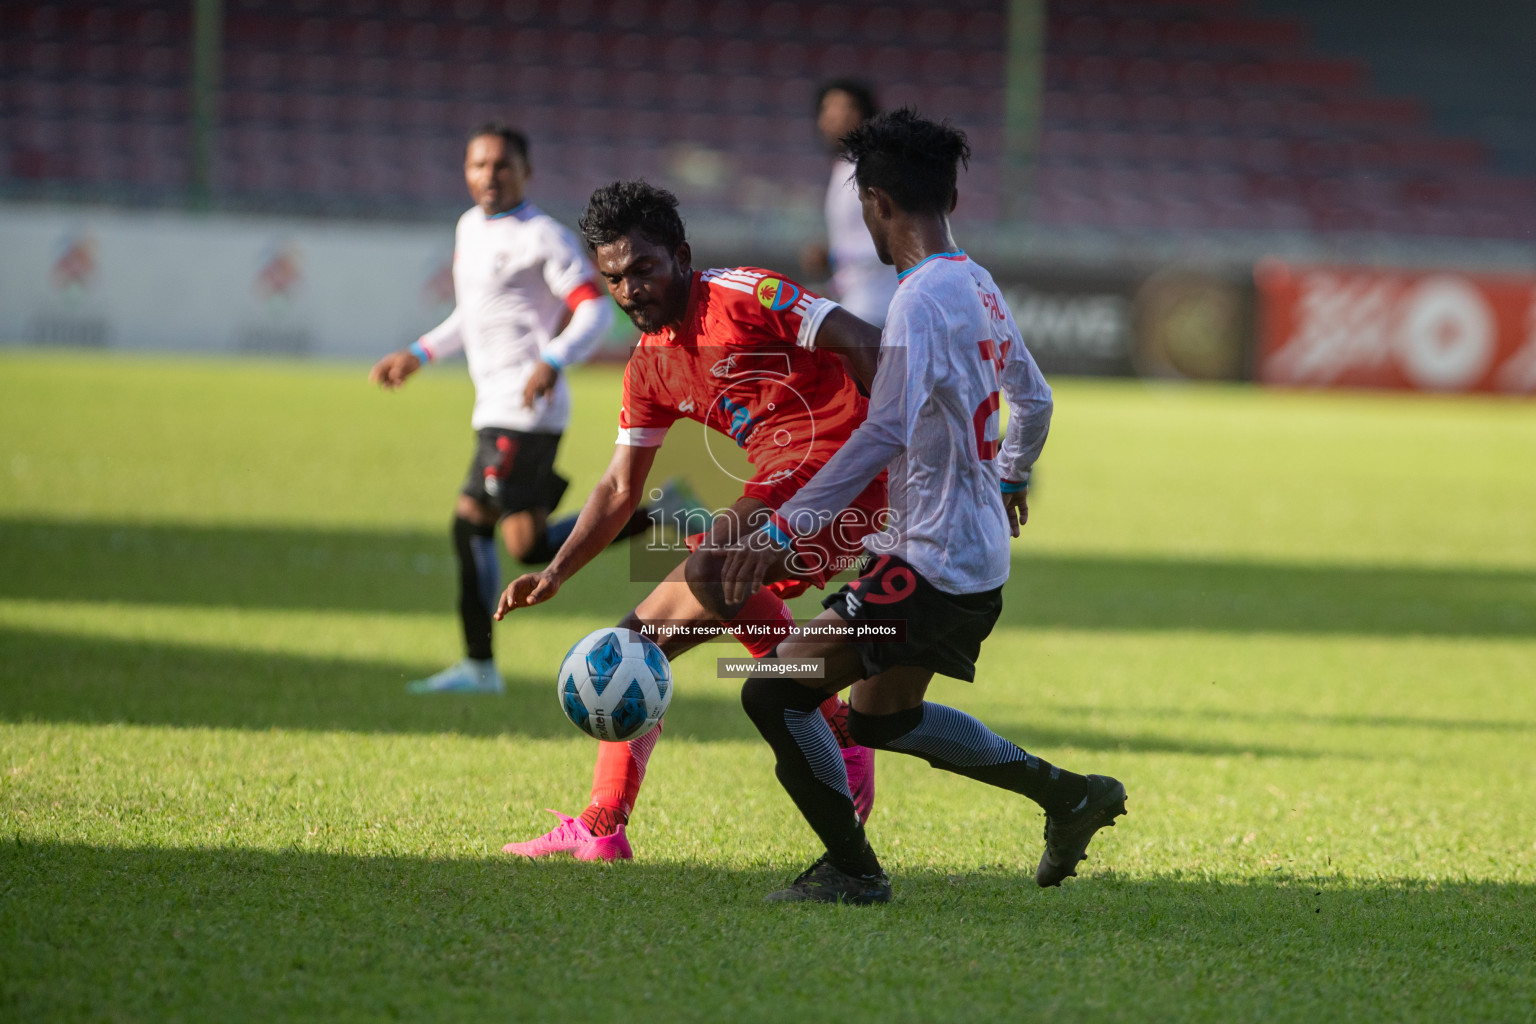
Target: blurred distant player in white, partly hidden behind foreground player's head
859,282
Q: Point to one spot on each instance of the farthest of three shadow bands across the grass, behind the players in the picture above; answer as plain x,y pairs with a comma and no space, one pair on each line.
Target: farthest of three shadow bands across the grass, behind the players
412,572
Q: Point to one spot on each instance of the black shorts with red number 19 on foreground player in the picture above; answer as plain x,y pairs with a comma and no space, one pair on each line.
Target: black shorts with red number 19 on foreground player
944,632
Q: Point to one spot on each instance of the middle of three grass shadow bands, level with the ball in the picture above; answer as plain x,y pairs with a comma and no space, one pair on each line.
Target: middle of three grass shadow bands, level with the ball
134,682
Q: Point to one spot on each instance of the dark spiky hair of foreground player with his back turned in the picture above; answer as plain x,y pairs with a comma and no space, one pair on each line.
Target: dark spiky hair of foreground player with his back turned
915,160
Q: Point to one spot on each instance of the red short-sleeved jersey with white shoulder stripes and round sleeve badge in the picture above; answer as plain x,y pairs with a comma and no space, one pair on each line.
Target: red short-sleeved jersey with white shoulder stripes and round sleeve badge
744,363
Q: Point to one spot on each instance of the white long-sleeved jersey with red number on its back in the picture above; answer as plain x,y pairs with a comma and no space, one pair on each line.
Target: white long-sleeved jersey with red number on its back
950,345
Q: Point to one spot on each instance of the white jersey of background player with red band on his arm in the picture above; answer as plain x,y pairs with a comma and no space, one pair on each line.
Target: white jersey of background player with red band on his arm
517,277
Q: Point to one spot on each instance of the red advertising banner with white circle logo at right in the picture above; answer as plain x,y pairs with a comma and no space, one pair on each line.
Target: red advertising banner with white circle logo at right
1426,331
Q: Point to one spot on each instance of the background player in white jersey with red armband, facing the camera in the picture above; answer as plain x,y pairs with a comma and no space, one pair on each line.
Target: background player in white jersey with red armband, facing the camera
526,308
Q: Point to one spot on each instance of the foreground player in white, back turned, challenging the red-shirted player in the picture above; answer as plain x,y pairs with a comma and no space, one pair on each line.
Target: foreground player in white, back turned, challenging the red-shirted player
956,494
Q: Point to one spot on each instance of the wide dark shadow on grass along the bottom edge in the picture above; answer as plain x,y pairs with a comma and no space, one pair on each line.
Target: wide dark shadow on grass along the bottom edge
231,934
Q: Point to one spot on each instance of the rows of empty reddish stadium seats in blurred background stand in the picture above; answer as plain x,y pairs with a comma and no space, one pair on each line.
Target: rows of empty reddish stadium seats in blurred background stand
1194,101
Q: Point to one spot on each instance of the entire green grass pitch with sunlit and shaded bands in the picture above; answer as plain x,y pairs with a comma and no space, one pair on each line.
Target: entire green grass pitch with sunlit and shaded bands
1300,627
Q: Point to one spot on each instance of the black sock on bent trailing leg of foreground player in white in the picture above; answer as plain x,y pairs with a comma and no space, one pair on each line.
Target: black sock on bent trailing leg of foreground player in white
959,744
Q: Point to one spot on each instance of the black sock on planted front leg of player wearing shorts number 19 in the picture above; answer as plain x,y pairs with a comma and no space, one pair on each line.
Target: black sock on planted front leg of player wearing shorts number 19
810,767
